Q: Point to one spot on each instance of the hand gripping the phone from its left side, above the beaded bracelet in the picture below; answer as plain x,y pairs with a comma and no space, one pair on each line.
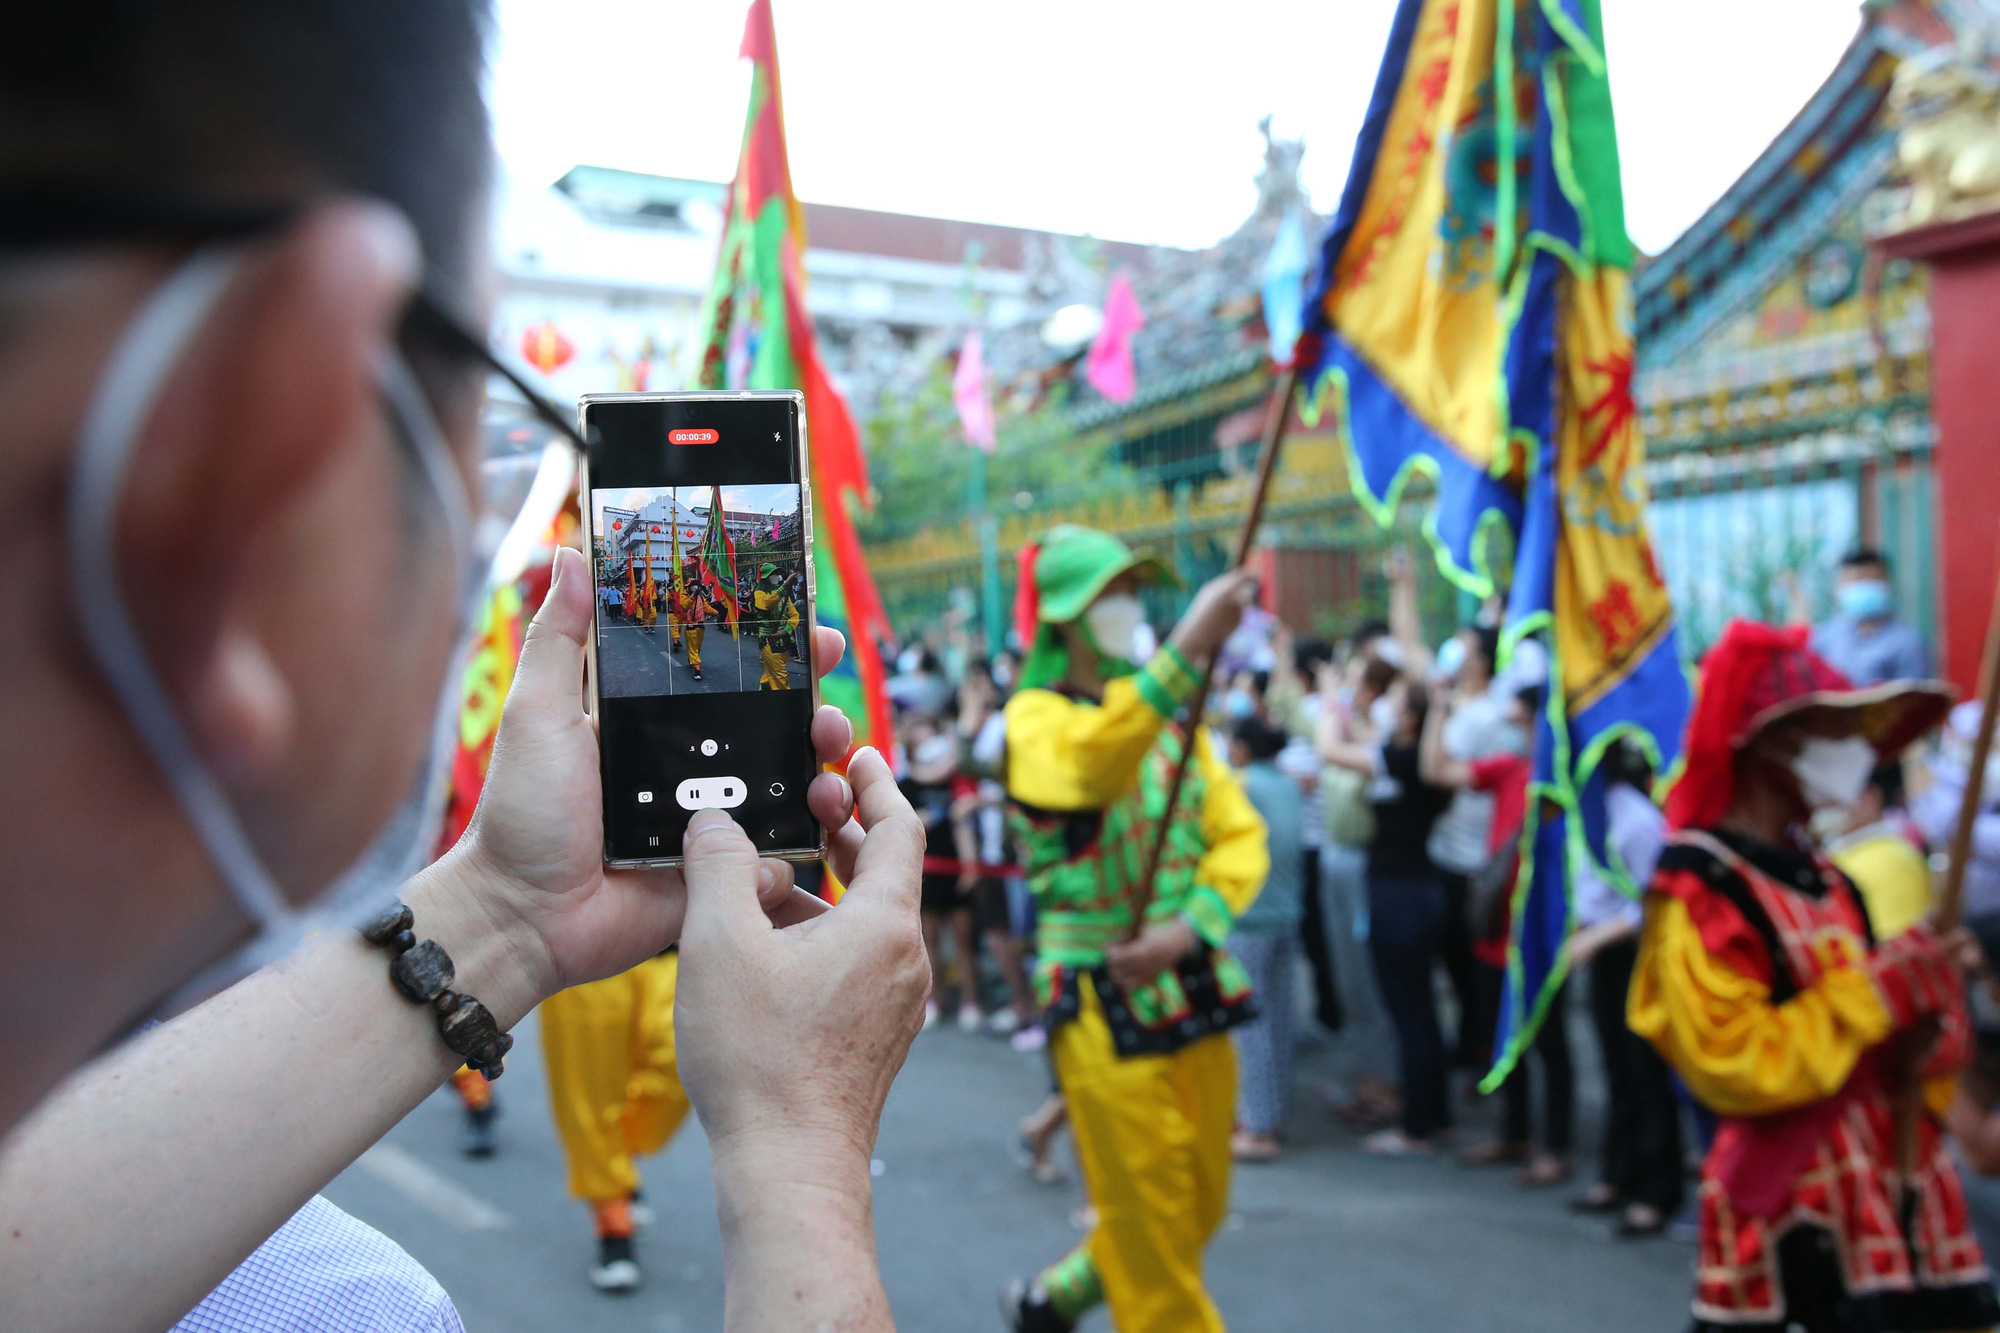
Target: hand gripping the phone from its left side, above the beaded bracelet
533,862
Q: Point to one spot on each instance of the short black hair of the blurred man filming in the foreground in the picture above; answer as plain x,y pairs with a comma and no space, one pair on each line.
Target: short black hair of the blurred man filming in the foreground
245,105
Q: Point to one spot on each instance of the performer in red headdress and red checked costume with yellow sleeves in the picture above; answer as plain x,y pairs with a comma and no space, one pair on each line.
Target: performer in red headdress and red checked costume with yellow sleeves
1767,988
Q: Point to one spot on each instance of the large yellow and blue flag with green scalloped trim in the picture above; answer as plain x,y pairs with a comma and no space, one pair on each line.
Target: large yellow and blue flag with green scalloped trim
1473,319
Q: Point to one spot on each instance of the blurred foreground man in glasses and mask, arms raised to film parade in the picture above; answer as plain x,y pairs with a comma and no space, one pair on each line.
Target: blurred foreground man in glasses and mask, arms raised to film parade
245,285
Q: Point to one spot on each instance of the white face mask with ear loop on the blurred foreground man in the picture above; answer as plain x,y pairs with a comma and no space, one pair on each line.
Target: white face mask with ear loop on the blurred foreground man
121,409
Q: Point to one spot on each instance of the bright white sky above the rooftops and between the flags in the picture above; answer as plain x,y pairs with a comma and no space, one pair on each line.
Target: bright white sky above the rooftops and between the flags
1123,119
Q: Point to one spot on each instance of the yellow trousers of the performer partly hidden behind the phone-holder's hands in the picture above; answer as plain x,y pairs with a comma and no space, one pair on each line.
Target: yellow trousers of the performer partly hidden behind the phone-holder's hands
613,1078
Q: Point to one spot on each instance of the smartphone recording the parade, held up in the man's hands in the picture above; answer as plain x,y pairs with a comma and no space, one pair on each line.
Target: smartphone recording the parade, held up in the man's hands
701,663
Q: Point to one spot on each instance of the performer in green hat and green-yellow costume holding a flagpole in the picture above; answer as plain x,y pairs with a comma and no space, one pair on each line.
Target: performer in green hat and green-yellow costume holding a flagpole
1137,1026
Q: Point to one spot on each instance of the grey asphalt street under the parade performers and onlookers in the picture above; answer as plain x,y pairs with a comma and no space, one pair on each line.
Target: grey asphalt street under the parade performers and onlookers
1327,1240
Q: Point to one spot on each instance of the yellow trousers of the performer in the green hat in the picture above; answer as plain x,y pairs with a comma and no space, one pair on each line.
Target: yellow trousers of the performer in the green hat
1153,1136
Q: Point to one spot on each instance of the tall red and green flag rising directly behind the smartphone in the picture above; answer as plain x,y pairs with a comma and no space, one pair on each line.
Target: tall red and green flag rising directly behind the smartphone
759,335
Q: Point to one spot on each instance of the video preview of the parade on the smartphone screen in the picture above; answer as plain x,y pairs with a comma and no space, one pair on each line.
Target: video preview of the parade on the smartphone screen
701,589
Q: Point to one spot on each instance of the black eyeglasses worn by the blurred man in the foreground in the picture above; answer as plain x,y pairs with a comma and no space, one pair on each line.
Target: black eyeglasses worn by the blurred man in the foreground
61,219
